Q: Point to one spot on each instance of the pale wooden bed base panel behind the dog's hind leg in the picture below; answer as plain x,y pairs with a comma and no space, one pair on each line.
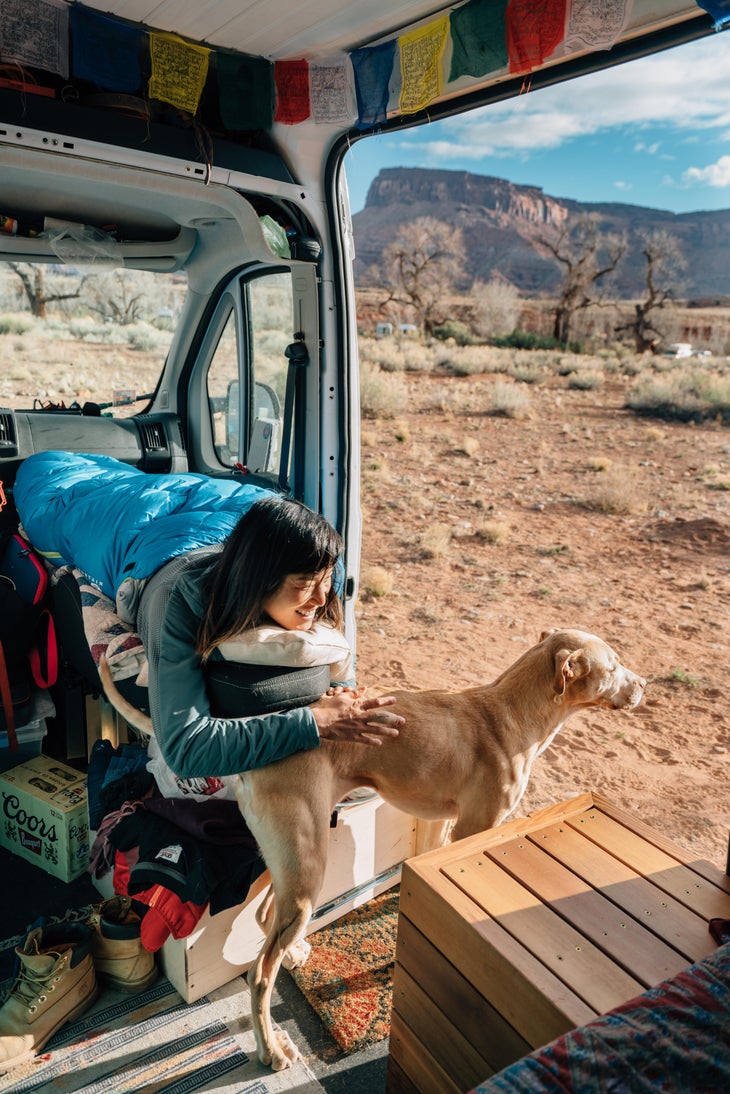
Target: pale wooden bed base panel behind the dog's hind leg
366,852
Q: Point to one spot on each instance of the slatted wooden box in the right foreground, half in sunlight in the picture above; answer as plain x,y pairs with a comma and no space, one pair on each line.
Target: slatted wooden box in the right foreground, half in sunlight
513,937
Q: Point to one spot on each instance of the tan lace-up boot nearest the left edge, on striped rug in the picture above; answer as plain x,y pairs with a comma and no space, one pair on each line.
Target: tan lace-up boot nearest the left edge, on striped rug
55,984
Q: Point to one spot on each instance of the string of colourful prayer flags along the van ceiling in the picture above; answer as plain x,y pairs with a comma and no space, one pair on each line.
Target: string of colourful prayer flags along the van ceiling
365,88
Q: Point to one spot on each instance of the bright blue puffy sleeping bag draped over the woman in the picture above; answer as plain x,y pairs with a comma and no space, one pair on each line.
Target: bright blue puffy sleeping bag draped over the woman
115,522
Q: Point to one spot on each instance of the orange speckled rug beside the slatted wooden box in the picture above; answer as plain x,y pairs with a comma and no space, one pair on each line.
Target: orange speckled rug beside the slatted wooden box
349,977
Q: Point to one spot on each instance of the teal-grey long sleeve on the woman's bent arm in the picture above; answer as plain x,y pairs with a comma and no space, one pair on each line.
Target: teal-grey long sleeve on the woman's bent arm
193,742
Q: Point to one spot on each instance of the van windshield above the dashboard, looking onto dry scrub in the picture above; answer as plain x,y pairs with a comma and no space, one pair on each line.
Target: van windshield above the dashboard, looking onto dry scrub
72,335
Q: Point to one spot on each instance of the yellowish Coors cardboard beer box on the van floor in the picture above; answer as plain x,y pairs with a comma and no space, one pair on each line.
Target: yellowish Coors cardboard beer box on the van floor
44,817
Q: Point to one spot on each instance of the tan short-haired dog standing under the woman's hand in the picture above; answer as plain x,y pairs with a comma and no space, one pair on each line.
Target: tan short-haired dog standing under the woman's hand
462,757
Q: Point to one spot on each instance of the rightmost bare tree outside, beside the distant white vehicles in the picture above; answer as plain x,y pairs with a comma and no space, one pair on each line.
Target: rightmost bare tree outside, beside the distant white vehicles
665,263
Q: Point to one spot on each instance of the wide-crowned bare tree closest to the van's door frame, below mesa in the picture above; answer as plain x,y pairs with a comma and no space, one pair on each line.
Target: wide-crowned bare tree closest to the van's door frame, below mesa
421,269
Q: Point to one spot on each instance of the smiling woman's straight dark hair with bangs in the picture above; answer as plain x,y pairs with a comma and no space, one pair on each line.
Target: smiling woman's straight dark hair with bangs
276,538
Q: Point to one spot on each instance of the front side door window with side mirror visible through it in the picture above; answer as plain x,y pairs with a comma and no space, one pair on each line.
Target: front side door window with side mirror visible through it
248,376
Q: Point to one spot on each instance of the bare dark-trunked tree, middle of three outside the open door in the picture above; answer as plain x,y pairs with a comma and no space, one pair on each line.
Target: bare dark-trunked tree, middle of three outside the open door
587,255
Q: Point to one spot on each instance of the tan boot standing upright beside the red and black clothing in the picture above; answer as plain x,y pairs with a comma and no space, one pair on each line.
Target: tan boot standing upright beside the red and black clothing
120,957
